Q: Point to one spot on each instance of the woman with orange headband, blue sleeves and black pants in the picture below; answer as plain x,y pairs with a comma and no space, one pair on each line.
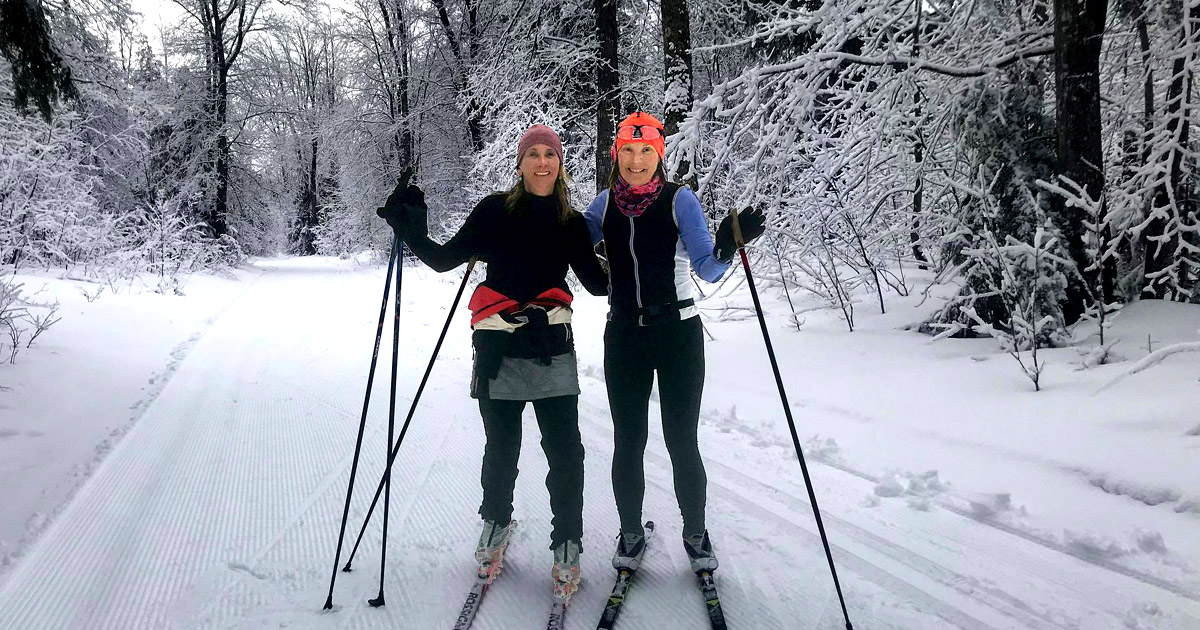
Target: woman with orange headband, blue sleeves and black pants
653,231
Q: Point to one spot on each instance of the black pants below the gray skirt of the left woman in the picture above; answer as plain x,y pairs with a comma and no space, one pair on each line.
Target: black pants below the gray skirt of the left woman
559,419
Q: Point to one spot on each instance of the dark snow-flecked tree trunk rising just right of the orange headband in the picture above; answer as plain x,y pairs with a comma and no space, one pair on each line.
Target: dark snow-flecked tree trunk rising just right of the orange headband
677,70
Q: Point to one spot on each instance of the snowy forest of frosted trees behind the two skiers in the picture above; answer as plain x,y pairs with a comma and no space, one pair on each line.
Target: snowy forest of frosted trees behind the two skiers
1040,154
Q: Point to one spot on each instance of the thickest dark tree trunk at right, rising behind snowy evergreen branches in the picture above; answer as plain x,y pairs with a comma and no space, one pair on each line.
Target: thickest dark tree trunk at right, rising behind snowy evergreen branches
1079,28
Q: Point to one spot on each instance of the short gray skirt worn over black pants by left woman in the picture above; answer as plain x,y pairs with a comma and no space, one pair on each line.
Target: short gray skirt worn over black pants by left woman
529,380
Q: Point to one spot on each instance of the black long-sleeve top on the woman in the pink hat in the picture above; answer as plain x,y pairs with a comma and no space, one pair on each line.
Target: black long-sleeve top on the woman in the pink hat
527,251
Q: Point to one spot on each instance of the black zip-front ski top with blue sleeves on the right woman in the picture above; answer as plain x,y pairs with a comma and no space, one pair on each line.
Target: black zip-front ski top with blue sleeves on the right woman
650,255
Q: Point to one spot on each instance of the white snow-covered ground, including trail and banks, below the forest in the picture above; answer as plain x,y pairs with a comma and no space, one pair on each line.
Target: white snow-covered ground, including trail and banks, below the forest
182,463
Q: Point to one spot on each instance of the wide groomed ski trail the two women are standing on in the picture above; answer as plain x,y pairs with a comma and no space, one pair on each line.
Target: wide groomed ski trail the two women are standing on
220,508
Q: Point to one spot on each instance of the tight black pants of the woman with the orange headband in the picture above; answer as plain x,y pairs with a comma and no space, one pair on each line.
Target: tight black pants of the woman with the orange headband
632,356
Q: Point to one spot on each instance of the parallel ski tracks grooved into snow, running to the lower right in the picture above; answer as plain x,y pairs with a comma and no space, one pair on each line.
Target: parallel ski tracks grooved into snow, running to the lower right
893,567
